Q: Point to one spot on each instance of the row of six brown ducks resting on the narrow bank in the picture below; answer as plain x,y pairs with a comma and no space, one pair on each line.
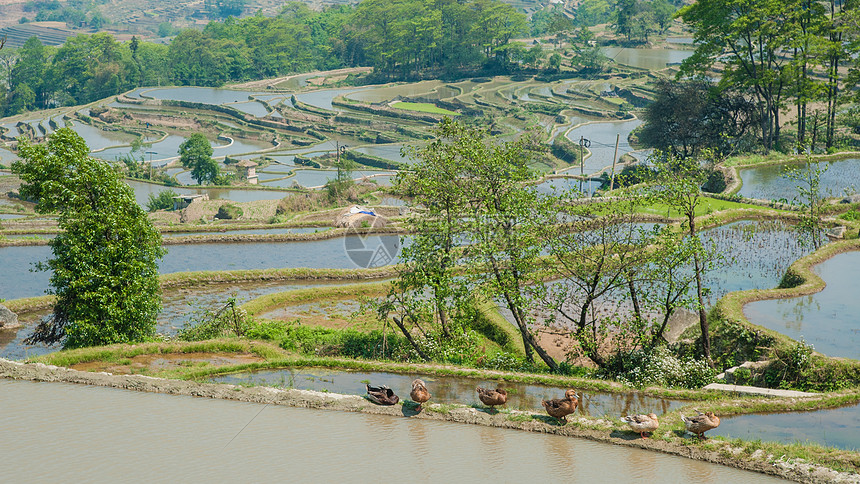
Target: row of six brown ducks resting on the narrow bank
558,408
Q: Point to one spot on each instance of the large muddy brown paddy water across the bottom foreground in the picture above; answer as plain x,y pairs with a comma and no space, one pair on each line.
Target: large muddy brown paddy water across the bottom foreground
174,439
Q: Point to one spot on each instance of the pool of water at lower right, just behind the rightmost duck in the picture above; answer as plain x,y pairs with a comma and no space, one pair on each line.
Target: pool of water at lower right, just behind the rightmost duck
838,427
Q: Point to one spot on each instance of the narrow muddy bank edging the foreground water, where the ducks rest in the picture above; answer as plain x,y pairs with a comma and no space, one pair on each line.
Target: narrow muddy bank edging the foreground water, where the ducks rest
592,429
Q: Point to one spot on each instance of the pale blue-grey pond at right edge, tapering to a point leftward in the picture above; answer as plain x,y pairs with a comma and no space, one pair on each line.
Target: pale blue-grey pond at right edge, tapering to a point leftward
828,319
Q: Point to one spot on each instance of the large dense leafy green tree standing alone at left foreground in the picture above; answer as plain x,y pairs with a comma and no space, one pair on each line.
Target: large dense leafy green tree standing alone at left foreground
105,258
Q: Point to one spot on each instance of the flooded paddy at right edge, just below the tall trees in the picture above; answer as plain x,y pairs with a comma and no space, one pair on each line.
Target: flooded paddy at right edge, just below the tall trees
770,182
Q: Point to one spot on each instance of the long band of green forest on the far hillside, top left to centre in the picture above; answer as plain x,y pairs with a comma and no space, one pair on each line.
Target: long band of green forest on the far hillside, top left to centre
400,39
